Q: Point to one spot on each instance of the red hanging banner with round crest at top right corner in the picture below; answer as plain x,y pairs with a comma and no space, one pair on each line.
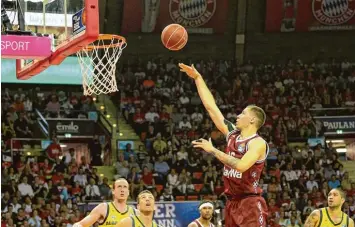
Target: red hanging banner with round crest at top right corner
309,15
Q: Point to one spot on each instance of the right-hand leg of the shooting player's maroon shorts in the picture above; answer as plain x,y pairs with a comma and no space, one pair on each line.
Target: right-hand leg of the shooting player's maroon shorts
253,211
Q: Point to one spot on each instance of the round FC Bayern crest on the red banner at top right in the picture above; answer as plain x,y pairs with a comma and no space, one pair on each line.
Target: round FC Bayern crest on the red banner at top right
333,12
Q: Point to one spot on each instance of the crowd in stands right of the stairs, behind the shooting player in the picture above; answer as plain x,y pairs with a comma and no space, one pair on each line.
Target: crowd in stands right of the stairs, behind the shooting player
164,108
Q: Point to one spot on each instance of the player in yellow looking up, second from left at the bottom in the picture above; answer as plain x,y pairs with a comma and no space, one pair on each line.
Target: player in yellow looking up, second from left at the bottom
146,207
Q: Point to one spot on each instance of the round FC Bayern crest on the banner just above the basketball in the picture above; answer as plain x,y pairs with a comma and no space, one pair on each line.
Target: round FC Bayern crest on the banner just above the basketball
192,13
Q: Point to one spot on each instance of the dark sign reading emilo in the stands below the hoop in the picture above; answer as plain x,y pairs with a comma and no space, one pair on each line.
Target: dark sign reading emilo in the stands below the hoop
75,127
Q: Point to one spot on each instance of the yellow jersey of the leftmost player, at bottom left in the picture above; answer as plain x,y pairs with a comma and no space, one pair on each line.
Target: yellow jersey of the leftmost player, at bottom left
113,216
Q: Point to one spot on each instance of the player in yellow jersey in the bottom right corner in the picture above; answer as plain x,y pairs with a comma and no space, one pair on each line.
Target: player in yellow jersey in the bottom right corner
331,216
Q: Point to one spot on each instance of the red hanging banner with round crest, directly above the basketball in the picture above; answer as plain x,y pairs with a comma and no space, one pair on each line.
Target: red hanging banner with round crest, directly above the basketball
207,16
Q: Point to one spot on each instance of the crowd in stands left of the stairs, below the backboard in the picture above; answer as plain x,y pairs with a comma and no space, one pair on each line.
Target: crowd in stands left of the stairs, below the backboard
43,190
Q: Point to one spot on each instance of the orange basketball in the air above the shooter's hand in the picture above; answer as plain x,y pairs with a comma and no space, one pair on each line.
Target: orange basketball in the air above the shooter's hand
174,37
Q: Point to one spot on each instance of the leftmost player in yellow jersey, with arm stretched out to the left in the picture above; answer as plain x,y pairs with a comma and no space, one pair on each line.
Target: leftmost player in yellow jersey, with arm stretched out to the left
109,214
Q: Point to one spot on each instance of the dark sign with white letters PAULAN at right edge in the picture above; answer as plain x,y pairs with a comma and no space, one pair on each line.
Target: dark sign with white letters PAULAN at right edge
337,124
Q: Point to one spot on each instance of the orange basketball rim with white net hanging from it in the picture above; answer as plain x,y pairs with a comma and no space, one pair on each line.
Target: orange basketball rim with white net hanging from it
98,64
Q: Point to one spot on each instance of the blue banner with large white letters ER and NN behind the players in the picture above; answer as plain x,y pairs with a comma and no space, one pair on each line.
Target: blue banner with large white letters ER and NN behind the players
171,214
